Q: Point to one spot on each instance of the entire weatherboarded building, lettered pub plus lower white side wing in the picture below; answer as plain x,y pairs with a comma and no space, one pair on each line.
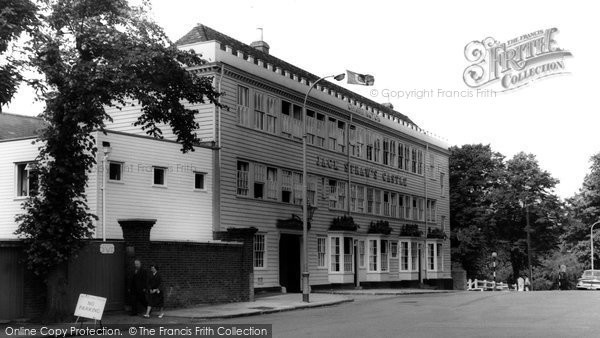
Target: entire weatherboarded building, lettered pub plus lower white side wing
365,161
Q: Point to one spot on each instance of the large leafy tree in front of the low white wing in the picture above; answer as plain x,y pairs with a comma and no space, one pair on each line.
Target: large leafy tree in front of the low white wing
95,54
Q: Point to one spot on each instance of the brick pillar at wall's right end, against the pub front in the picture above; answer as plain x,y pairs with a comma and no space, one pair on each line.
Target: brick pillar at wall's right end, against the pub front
245,236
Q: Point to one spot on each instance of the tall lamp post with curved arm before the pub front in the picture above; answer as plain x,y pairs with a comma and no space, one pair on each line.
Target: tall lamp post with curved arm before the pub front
305,273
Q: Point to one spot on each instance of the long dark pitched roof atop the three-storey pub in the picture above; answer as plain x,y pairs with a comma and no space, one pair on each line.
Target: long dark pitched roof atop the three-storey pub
202,33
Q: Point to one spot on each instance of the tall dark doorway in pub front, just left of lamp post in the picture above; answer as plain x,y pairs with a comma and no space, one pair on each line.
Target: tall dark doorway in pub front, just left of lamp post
289,262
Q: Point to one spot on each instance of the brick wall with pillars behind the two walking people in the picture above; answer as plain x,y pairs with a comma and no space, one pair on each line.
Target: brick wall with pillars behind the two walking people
193,273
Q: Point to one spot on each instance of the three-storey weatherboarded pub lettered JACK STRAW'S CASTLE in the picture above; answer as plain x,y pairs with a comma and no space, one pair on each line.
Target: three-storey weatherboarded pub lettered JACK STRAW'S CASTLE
377,184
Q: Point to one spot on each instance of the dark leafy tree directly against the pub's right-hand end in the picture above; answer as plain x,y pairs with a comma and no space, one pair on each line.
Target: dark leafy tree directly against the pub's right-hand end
474,174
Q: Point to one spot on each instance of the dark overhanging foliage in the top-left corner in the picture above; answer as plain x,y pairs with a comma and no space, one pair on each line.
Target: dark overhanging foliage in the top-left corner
16,17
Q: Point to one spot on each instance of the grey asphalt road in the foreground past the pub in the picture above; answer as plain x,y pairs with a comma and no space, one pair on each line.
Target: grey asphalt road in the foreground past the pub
463,314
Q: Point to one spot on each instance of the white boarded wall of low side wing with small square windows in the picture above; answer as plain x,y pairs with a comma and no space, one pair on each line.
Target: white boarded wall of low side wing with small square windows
182,212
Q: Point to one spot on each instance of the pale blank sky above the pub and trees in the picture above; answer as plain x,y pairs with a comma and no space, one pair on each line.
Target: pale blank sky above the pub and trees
419,46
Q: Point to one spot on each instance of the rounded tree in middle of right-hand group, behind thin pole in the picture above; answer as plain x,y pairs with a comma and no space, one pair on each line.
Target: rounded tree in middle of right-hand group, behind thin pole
527,191
